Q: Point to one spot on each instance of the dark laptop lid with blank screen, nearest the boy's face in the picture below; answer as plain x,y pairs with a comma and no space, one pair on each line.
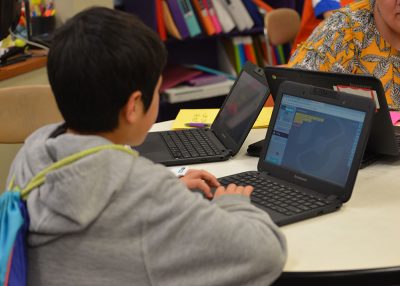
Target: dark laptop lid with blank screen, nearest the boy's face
241,107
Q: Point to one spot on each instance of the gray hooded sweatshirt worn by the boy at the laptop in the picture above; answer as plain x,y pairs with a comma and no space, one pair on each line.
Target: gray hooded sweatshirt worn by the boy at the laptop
116,219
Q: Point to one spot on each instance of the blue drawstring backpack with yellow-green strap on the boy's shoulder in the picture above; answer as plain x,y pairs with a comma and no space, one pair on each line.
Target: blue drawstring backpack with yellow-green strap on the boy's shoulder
14,219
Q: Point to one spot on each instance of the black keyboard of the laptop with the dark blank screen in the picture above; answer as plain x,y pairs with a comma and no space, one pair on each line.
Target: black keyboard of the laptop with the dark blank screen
189,143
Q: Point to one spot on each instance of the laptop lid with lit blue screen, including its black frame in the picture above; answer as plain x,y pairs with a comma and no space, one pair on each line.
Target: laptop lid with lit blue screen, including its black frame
316,138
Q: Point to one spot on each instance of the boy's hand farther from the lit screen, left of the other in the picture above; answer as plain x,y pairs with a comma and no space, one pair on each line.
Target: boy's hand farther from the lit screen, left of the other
202,180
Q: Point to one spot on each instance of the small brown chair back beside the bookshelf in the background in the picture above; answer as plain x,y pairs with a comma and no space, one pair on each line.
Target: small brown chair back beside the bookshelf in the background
281,25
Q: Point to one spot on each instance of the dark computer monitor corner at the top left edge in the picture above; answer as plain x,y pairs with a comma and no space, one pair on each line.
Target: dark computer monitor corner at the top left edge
9,16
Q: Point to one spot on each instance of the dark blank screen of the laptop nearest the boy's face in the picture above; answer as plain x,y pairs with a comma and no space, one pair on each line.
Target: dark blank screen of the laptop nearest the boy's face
241,106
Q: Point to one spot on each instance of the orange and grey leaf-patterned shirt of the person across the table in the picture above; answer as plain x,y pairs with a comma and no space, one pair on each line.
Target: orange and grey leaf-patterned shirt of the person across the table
349,42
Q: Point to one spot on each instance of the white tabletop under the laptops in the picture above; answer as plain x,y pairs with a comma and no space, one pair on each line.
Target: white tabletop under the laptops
364,233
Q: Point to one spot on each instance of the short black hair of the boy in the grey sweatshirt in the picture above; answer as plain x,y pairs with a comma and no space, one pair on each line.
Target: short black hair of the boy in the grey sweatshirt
96,60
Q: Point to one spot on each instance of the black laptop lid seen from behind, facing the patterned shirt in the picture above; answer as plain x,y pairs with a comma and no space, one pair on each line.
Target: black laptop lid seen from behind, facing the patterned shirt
382,138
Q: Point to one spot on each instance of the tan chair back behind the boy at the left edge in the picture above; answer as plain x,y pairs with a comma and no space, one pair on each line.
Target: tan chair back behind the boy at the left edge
23,109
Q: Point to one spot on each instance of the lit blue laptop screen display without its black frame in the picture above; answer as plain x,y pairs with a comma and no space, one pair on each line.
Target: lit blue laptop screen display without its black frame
315,138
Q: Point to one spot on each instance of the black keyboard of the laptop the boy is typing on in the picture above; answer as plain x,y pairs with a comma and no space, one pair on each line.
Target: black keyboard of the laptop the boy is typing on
272,195
